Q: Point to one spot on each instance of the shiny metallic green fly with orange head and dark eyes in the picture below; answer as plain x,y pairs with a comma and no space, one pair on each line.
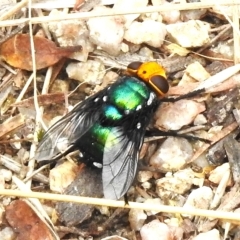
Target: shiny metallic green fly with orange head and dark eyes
109,127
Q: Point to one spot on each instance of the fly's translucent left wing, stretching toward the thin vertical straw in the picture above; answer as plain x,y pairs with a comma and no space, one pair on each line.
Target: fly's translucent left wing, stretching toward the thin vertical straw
61,137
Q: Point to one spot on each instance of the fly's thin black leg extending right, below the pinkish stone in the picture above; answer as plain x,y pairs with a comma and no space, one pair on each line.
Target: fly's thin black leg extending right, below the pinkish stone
157,132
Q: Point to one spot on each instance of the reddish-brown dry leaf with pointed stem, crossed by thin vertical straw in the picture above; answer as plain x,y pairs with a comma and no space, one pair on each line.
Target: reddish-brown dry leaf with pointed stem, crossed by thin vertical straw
16,51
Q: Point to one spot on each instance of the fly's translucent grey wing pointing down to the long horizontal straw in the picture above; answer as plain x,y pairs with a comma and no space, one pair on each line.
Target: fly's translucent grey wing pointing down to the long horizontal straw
120,161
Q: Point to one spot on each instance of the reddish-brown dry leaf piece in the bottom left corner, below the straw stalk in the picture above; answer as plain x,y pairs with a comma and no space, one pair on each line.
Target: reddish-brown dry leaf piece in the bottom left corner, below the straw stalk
26,223
